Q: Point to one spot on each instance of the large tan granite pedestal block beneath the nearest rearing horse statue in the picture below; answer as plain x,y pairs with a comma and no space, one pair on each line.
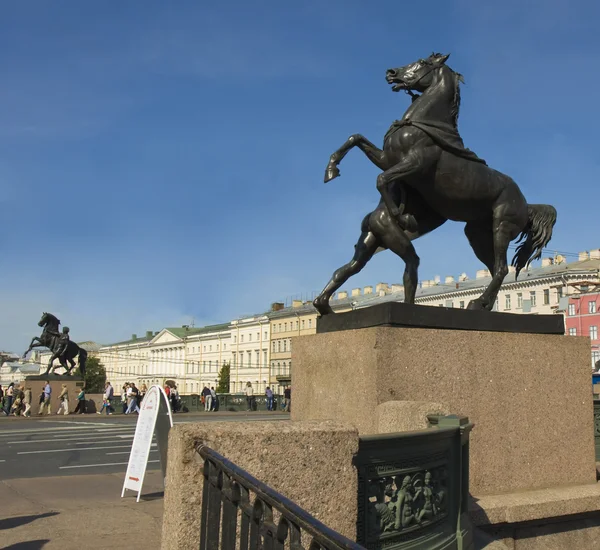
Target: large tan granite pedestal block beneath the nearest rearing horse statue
528,433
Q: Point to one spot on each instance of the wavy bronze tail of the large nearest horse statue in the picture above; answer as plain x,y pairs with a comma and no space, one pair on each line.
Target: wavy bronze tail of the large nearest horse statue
537,235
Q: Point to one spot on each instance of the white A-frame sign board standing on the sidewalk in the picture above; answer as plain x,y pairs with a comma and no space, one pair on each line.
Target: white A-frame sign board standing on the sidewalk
155,415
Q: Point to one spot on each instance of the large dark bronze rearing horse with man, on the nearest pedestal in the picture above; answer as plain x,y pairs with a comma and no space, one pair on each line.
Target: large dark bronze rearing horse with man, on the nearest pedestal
428,177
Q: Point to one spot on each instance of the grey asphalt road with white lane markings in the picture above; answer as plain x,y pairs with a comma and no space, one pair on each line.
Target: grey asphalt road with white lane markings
90,444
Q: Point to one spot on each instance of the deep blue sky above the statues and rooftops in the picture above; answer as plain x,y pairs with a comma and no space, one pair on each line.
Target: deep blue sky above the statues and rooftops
163,161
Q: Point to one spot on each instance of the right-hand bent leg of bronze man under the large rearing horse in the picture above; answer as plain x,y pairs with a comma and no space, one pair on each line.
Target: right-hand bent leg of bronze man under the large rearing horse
394,238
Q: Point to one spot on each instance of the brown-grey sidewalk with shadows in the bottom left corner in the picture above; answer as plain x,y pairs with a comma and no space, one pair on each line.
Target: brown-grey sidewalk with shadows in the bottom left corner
74,512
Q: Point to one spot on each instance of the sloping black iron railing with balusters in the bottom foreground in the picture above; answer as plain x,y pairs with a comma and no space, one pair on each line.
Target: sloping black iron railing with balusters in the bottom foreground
239,511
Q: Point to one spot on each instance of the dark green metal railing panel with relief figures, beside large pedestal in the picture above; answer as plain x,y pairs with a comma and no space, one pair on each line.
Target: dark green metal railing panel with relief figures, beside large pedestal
412,488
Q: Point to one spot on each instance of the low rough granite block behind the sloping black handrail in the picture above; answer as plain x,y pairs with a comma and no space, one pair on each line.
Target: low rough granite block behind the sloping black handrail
308,462
